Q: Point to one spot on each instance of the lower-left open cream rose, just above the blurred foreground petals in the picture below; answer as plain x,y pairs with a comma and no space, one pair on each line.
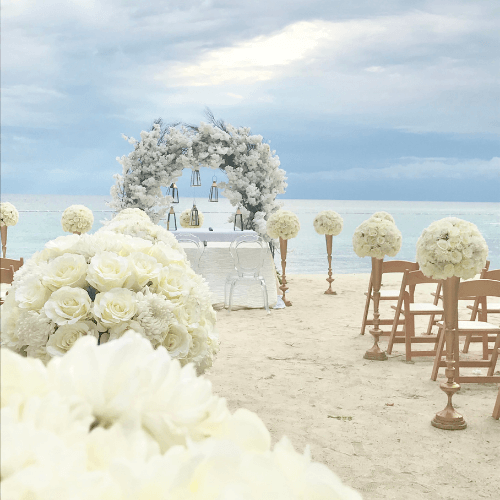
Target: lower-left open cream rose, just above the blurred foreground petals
68,305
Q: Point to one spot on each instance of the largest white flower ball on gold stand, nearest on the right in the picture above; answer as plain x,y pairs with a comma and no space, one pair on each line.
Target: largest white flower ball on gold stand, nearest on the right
450,249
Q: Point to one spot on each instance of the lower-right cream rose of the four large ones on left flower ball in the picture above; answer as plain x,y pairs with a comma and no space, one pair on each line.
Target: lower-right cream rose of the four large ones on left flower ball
115,307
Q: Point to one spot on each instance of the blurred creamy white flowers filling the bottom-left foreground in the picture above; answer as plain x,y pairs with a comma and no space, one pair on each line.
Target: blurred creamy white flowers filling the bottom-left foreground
123,421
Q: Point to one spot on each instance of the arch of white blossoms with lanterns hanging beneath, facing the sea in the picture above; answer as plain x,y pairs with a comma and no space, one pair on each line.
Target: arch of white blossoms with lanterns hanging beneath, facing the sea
158,159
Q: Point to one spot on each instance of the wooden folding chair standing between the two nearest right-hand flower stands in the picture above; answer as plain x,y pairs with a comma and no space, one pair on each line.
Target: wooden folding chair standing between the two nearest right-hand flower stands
409,308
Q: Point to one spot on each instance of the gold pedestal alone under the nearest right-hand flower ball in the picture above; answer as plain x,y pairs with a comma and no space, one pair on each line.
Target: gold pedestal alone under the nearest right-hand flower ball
449,419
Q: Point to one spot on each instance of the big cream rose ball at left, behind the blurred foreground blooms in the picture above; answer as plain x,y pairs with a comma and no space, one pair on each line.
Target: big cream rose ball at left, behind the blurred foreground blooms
102,285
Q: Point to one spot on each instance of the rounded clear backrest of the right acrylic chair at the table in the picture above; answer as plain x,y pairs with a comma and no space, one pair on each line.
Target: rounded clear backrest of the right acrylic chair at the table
249,253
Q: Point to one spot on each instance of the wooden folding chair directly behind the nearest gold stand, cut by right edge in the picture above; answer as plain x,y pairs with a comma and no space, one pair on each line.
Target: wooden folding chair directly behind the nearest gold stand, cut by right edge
479,331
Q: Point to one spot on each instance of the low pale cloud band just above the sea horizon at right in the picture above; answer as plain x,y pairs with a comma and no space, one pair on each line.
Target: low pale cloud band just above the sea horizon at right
416,168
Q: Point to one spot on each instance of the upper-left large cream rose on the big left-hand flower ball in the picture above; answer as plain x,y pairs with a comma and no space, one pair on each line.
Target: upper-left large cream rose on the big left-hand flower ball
66,270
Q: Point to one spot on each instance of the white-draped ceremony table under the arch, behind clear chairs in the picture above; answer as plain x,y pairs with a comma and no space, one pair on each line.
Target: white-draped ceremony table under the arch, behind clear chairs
216,263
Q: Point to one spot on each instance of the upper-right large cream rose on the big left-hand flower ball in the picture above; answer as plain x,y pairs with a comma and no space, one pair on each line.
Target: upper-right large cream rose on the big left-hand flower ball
107,271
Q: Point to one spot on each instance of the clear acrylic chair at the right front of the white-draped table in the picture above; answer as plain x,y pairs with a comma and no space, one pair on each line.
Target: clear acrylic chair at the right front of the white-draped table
249,253
